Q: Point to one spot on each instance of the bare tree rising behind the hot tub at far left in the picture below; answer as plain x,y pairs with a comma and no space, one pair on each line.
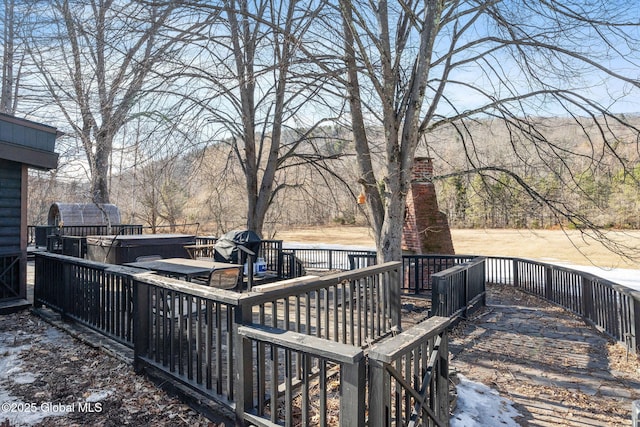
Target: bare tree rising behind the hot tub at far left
99,61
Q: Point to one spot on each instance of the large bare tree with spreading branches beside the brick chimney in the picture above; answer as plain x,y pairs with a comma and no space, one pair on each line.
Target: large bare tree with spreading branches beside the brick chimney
415,66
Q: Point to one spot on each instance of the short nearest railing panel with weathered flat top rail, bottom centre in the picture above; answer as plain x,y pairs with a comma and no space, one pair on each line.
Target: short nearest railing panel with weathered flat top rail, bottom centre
297,379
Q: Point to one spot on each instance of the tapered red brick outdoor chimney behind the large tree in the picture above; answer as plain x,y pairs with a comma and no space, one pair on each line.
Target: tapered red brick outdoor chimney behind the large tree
426,229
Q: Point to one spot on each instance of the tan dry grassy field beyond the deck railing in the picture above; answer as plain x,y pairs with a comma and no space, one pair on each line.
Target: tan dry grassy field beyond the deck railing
545,245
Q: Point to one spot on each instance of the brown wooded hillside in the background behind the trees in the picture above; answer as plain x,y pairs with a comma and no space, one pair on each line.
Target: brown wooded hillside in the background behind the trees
566,170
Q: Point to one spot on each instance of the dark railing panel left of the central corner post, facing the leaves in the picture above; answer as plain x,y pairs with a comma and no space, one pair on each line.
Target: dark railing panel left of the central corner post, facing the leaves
186,331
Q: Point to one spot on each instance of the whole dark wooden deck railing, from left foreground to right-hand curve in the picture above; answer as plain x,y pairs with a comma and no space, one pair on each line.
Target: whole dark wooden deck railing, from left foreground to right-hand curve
248,350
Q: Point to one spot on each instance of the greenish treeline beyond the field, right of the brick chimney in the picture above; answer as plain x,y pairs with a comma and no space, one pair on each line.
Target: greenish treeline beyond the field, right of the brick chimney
609,199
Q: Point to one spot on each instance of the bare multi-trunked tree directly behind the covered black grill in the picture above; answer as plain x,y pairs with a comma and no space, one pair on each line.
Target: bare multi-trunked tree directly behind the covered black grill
255,86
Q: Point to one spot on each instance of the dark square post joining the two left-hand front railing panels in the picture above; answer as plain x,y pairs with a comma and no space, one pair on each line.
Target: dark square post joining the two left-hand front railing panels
141,314
